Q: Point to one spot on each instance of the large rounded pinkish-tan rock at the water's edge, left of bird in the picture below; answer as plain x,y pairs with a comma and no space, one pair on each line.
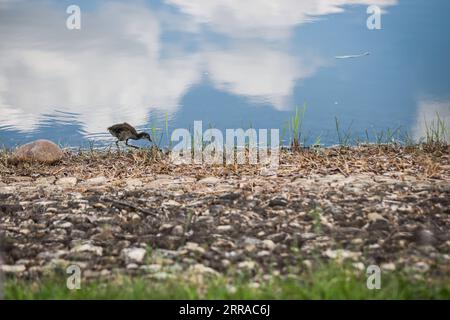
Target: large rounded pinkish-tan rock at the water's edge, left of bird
43,151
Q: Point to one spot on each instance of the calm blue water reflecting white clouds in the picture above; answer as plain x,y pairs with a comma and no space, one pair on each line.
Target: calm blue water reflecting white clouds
229,63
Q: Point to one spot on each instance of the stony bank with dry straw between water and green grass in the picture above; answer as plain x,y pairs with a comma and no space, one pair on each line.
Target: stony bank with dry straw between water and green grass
130,213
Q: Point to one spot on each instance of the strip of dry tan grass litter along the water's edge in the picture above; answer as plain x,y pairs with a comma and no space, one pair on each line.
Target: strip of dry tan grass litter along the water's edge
420,160
